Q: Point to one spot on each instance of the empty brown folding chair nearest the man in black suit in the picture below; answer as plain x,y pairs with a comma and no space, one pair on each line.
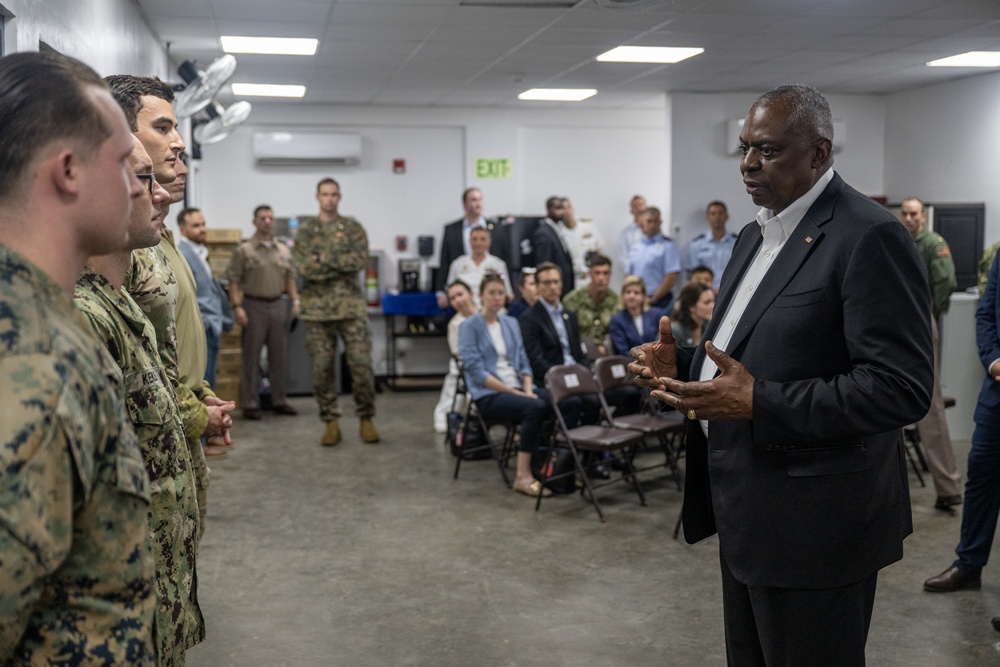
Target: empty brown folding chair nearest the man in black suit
668,428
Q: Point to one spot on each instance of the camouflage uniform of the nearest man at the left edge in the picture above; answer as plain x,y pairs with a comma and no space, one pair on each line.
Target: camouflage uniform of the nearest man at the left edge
76,580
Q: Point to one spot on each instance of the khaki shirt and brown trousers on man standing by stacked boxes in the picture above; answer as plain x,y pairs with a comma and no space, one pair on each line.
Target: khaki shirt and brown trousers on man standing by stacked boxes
262,269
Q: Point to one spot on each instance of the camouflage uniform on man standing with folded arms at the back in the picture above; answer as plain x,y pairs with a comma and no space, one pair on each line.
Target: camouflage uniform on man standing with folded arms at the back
328,257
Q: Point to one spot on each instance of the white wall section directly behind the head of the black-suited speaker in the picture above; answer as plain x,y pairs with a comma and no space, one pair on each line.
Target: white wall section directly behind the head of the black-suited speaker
703,167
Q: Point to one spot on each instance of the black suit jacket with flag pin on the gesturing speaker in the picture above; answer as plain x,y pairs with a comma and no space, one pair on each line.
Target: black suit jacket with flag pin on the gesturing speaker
813,492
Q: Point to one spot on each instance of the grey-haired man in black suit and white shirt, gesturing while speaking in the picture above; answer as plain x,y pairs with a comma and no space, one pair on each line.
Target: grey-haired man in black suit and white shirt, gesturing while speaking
795,456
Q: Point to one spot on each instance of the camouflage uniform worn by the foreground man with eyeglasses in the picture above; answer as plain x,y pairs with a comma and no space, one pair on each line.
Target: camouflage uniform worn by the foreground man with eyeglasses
173,515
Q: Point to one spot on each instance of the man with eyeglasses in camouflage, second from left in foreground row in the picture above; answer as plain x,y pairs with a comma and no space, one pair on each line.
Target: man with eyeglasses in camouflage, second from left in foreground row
129,337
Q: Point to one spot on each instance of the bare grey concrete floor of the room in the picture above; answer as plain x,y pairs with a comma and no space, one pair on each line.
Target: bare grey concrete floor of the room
371,555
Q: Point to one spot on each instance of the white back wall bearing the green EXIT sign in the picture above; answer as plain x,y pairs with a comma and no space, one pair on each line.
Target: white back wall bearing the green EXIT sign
597,158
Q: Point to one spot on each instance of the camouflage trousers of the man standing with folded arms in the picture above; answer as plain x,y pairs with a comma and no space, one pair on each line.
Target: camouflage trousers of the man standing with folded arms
321,341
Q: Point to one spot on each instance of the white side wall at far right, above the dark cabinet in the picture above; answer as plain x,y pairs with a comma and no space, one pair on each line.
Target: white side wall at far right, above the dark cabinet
942,144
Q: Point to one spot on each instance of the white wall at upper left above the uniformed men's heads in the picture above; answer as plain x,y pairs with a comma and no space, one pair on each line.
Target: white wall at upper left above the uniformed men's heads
108,35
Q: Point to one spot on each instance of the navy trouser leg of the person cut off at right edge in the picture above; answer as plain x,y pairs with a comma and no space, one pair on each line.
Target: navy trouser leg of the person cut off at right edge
982,500
